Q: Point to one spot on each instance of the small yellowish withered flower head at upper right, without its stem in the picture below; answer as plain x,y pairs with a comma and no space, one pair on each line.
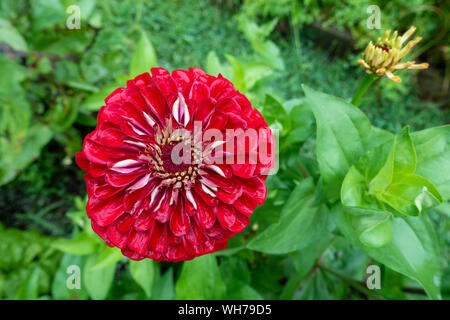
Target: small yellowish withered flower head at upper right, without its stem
384,57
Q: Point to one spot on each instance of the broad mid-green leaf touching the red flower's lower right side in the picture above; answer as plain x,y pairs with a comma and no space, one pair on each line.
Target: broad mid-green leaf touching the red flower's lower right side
299,225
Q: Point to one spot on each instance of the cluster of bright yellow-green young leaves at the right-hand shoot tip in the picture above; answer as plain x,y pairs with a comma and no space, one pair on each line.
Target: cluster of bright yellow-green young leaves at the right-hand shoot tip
383,183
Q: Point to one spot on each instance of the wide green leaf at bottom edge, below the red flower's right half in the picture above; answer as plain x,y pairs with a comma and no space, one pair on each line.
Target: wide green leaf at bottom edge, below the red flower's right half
200,279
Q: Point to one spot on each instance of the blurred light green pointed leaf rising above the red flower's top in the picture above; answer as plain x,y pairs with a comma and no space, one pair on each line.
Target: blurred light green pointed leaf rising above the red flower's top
144,57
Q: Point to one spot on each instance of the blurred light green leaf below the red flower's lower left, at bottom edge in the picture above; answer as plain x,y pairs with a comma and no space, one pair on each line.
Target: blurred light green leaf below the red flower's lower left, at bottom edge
97,281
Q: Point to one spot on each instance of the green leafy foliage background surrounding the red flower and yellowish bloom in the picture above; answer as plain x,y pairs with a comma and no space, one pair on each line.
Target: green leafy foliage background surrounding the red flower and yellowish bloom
313,238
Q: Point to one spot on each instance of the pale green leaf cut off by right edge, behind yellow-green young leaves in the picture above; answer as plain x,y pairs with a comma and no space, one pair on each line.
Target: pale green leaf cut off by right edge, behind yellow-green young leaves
433,157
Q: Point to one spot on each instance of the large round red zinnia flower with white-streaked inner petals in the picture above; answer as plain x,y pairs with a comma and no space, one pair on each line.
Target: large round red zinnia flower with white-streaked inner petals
150,206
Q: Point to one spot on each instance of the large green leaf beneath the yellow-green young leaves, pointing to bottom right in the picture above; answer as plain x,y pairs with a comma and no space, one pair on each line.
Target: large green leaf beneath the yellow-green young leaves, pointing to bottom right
413,250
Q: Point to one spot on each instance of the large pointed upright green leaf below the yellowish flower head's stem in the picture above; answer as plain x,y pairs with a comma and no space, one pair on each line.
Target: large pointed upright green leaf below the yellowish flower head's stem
344,134
